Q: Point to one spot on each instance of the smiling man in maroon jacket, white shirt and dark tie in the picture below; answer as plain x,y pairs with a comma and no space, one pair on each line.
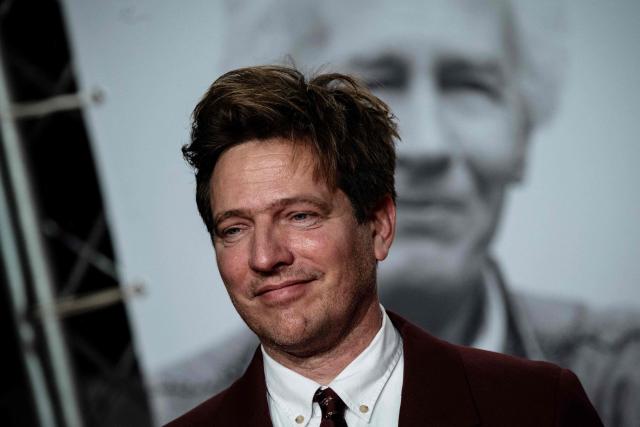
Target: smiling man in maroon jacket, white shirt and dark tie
295,183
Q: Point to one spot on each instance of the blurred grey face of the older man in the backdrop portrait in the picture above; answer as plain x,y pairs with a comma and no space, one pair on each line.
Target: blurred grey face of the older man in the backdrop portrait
446,70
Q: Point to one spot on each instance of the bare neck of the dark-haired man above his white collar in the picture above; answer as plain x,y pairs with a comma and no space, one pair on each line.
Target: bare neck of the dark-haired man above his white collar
324,367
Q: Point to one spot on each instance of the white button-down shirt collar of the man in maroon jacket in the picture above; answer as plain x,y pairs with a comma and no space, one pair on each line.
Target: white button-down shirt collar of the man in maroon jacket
359,385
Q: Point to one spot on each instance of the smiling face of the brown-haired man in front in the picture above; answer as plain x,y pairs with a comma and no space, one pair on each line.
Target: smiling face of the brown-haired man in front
297,265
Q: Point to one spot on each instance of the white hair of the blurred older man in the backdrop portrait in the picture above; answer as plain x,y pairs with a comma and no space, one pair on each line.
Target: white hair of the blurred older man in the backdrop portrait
278,31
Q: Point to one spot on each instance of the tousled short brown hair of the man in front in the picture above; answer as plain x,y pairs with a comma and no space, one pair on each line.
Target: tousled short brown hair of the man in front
350,131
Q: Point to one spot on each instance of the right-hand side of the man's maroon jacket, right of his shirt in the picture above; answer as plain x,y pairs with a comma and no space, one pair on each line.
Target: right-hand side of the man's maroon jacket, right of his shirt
487,388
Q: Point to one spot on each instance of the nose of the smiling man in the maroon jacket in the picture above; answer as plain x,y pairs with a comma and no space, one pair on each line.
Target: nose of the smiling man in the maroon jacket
270,250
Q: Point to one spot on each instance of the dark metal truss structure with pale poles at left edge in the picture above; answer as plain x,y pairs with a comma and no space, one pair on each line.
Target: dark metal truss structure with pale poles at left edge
65,328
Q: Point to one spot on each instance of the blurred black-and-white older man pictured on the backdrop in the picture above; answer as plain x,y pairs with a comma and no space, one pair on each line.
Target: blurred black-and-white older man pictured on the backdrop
470,81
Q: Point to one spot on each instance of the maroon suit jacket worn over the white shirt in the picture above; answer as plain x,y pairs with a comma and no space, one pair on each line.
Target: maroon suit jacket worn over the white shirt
443,385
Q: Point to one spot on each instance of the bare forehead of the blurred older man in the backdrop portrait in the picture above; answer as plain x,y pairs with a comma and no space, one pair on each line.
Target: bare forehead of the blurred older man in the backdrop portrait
465,28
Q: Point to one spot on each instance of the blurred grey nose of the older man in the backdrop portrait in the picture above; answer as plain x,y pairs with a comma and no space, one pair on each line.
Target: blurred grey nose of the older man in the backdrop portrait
426,148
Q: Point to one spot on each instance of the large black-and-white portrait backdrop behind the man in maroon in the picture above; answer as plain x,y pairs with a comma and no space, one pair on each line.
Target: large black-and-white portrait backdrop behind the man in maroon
517,176
